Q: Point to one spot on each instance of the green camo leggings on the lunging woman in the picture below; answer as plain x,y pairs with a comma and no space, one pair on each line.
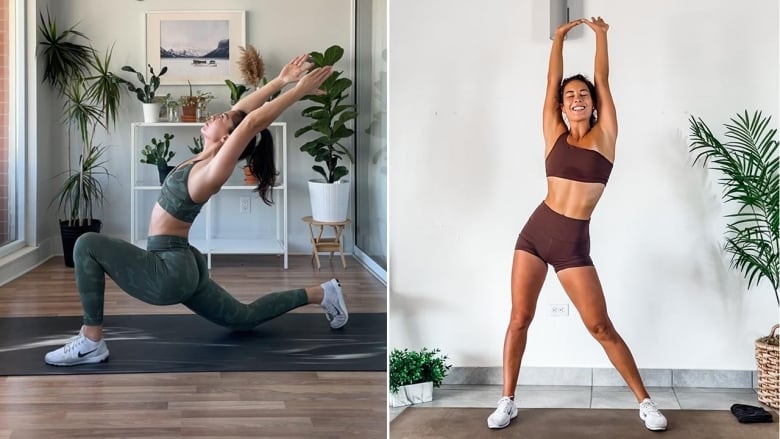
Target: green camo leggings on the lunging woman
170,271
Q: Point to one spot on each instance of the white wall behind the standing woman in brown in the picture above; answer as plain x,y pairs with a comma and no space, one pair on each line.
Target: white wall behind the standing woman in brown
466,170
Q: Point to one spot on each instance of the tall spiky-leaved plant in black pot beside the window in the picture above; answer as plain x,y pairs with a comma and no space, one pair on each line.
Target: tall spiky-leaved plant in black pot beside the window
91,94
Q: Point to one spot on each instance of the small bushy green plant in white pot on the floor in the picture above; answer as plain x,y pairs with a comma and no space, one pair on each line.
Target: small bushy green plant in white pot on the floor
414,374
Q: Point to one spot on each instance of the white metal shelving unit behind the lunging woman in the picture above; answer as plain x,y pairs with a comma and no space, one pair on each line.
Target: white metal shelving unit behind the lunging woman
223,226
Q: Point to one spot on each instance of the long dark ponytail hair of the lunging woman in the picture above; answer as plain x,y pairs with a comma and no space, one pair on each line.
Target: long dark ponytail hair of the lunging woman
259,156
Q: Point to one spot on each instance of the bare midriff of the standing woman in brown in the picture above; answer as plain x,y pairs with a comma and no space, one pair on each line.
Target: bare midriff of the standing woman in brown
573,199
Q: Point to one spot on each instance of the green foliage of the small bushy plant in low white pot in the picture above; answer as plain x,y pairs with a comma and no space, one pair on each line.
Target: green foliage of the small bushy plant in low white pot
412,367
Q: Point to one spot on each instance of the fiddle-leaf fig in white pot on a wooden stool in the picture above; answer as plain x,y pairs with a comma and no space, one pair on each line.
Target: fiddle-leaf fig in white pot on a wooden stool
329,116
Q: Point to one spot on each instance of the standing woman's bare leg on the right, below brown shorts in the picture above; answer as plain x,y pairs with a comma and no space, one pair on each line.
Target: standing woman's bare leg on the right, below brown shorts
584,289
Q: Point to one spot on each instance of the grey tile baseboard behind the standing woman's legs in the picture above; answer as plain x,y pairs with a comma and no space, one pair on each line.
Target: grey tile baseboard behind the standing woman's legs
581,376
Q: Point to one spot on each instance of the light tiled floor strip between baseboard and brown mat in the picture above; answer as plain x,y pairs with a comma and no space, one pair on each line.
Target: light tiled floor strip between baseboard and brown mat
668,398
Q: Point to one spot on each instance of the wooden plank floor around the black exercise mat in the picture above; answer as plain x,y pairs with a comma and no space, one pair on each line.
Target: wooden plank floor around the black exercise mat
217,405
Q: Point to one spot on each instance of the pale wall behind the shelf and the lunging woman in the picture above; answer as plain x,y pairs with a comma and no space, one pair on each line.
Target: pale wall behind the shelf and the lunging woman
279,29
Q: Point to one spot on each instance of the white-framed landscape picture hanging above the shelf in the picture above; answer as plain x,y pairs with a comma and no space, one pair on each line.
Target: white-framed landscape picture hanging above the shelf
197,46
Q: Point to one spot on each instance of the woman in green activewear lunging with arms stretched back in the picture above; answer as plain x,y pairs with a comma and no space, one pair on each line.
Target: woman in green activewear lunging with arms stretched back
170,270
